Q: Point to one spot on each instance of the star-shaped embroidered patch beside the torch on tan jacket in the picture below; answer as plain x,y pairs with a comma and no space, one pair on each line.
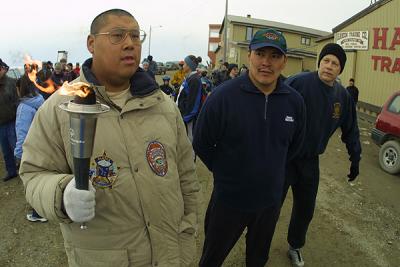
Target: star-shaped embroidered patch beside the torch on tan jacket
103,172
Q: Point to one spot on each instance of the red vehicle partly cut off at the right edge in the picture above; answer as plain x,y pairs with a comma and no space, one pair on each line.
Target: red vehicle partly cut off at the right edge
386,134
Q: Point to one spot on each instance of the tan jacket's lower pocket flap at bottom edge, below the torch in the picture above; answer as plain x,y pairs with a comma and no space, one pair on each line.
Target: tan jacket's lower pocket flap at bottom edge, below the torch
98,258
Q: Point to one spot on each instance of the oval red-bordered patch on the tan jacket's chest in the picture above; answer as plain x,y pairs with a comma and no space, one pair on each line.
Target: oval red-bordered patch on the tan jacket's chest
157,159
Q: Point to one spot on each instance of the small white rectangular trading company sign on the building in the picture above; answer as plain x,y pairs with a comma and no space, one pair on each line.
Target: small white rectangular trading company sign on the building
356,40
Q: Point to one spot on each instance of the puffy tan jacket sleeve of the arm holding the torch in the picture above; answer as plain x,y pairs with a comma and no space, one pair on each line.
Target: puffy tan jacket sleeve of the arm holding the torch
44,169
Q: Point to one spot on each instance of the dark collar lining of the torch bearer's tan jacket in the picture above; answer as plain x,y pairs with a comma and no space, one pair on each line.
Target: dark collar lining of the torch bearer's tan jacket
141,83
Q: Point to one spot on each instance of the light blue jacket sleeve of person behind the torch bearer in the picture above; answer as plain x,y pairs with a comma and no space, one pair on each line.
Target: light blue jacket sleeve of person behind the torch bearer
22,123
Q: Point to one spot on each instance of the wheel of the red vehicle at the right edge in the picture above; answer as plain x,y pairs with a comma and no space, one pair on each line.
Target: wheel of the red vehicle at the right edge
389,157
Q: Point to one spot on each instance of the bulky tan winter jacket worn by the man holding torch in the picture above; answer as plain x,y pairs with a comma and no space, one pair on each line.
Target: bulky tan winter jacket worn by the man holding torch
148,214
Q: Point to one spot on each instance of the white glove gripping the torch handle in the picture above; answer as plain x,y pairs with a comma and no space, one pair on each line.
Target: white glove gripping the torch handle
79,204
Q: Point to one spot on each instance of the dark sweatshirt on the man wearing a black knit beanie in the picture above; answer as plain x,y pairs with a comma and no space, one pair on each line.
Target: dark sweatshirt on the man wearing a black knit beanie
328,108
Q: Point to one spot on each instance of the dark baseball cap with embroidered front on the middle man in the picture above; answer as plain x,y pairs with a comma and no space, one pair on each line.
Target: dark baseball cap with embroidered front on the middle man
268,37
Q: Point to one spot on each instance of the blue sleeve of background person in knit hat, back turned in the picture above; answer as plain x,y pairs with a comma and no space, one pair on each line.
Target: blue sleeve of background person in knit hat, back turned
192,105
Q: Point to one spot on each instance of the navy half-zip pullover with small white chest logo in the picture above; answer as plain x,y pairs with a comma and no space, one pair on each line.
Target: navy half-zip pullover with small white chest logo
245,137
